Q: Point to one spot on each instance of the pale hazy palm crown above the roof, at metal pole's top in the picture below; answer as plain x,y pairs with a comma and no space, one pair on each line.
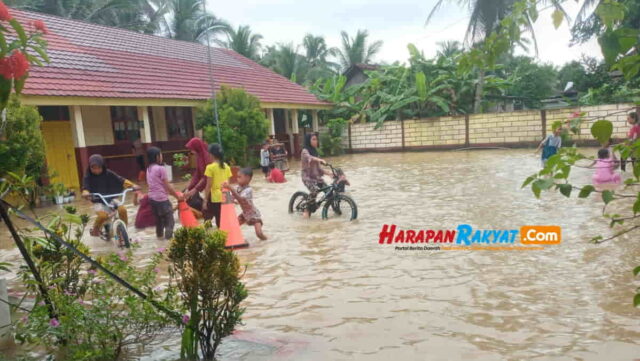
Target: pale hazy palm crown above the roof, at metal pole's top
191,23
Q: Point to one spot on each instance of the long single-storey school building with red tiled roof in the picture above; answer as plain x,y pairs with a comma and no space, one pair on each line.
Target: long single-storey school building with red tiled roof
107,87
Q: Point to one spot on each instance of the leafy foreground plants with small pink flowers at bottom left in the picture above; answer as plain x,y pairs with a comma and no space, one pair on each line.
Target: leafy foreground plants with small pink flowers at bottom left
95,318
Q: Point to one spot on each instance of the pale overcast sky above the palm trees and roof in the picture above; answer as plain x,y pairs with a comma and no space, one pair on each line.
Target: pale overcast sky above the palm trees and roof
395,22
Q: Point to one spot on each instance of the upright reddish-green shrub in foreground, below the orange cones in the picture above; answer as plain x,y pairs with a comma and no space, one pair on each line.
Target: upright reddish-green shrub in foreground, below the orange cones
208,277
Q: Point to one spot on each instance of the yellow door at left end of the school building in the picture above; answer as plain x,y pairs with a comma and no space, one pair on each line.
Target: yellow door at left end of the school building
61,156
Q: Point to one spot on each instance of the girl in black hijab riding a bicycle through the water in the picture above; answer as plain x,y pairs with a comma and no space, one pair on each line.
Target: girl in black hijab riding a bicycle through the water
99,179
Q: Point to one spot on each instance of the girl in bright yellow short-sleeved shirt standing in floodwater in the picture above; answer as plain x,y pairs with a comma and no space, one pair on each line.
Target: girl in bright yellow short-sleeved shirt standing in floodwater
217,173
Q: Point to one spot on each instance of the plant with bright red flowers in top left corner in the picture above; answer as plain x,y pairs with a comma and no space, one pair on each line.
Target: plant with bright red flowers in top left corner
18,50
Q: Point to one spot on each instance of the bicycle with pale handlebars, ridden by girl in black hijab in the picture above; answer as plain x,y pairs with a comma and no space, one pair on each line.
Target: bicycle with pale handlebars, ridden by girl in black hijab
114,228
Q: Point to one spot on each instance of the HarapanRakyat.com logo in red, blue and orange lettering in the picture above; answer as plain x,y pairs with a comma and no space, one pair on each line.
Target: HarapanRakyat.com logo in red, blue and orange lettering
465,238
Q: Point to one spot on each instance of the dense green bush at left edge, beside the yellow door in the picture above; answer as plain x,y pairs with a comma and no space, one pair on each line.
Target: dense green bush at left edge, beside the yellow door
22,146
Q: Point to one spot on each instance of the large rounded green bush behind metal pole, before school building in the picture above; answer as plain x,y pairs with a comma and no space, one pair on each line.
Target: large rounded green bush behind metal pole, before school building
242,123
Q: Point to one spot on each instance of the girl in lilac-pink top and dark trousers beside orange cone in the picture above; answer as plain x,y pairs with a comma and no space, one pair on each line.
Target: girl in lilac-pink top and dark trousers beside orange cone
159,190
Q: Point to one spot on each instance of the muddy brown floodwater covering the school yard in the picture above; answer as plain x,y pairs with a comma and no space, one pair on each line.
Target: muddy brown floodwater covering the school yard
326,290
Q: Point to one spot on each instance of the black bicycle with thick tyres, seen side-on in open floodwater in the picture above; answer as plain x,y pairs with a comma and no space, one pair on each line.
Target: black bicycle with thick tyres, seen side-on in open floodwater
333,198
